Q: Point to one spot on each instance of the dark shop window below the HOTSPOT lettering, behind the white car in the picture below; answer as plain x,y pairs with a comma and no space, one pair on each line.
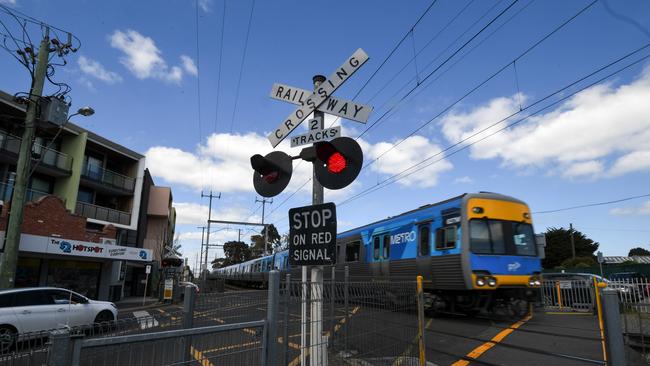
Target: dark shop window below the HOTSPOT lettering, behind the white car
81,277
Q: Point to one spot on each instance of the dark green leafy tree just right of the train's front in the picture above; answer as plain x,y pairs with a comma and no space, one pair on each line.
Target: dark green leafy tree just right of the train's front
558,246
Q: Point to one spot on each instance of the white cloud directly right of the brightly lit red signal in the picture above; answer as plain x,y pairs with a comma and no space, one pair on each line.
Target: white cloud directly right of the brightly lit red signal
410,152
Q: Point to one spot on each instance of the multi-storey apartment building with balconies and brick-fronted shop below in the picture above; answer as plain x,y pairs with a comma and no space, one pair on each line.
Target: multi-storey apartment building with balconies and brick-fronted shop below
86,219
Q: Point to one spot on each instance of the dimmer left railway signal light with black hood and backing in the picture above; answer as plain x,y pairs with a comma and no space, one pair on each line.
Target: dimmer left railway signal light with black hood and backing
272,173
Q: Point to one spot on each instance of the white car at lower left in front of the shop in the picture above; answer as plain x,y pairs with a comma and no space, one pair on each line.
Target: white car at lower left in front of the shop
25,310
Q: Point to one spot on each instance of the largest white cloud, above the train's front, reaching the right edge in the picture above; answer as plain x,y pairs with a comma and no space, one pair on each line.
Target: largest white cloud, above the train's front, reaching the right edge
574,140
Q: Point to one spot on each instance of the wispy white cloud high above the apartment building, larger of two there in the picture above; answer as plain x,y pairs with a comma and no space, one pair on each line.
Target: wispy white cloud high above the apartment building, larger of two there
143,58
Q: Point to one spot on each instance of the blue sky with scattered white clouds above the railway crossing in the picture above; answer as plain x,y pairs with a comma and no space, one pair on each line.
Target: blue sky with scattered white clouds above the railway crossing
491,95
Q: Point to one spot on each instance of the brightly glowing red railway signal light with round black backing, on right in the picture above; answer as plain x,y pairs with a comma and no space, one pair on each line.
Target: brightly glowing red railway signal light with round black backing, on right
336,163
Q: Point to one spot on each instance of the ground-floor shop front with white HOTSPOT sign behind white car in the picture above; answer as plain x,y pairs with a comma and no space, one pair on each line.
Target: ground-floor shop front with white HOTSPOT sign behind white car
92,269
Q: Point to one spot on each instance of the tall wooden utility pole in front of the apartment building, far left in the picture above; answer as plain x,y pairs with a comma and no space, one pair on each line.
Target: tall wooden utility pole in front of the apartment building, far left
12,241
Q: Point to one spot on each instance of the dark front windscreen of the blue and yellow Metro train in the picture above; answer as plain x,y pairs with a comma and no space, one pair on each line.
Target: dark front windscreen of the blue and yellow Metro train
488,236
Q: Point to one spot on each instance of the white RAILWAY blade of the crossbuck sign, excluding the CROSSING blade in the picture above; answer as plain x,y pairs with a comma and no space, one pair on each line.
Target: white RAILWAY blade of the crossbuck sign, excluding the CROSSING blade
332,105
